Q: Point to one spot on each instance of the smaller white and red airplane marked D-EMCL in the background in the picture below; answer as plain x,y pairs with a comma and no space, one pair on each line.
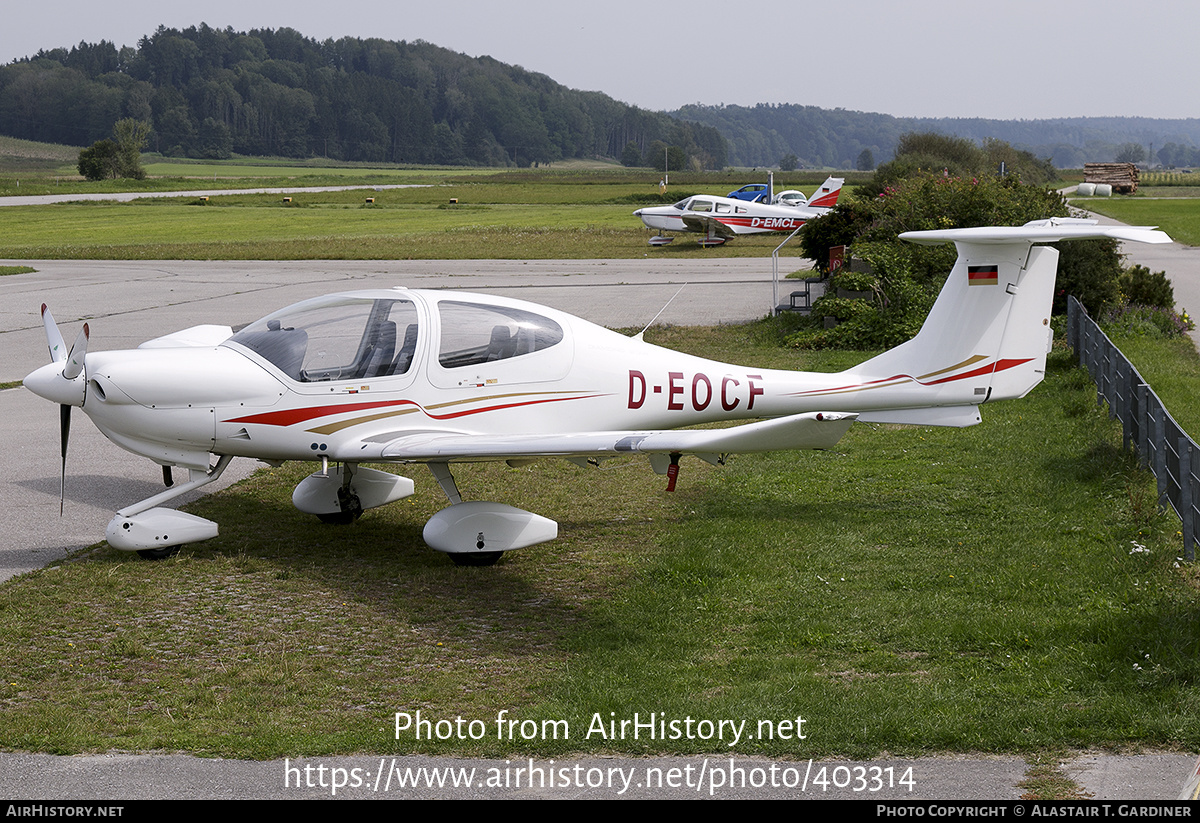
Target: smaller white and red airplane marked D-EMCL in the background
721,219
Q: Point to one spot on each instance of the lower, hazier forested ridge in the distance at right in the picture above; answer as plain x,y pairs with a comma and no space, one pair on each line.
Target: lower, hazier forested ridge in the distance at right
763,135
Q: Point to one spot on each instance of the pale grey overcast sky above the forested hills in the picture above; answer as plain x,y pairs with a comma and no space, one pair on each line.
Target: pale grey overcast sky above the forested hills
1007,59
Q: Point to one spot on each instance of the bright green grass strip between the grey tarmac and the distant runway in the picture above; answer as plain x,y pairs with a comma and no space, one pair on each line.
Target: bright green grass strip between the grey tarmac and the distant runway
401,225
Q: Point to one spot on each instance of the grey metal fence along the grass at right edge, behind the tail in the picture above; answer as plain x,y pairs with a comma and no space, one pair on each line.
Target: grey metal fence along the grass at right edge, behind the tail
1149,428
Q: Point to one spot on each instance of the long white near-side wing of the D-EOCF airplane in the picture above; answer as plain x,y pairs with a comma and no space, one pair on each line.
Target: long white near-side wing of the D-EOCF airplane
813,430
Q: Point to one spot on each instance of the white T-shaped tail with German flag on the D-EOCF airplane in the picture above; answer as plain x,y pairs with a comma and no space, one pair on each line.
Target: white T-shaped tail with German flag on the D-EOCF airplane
989,332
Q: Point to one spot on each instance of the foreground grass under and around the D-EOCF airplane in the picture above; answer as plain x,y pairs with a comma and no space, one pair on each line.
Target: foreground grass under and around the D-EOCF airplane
915,591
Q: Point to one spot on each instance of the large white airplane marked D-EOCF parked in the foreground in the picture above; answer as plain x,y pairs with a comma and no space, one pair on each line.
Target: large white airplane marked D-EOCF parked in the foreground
398,376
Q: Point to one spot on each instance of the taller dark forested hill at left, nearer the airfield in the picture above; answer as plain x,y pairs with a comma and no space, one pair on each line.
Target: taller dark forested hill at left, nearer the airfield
208,93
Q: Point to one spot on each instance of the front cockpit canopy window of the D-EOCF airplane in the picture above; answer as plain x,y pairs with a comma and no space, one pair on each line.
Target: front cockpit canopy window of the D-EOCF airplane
337,339
